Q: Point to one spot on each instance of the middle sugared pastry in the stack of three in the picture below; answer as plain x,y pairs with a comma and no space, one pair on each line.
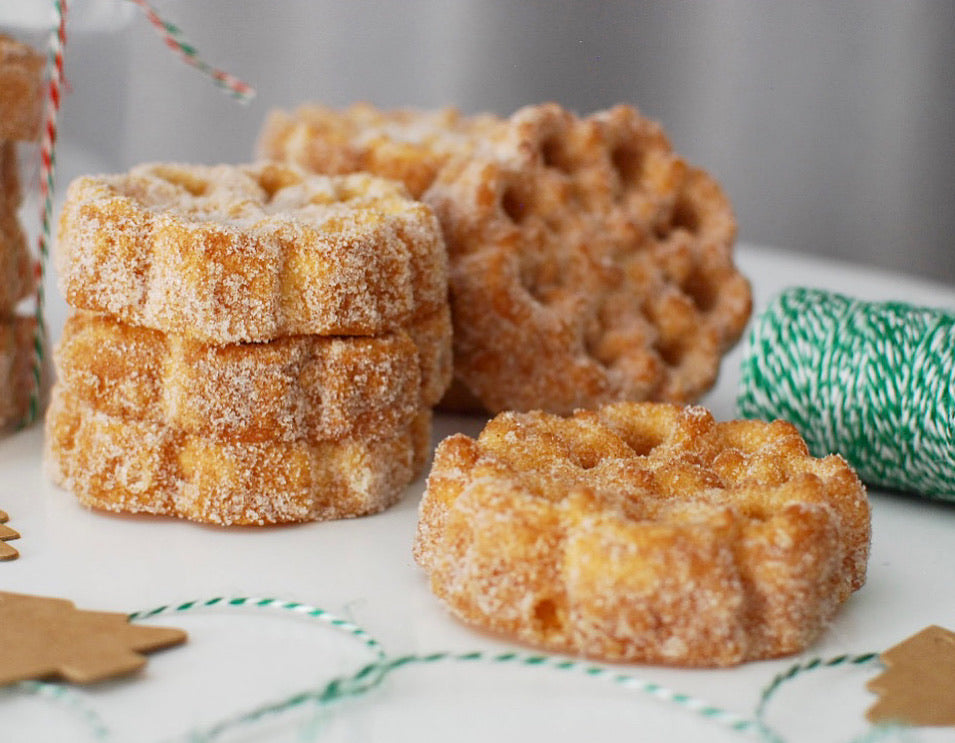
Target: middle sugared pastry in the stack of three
298,387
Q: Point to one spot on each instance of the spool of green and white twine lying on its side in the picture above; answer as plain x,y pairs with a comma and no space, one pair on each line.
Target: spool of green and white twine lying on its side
871,381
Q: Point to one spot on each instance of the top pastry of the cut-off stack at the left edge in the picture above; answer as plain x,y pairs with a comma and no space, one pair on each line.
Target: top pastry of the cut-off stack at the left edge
21,93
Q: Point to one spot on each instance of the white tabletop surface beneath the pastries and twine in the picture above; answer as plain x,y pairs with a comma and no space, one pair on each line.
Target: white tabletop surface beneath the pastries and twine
362,570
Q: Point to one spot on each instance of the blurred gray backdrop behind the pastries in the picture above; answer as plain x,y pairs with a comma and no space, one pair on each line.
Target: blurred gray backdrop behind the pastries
829,123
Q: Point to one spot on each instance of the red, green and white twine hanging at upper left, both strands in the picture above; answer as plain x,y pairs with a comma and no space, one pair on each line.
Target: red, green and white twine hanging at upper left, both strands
56,46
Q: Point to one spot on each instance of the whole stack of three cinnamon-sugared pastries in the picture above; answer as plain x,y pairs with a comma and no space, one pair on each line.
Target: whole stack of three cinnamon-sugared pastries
247,344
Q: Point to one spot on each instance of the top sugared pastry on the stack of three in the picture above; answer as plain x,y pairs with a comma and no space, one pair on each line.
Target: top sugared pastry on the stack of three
229,254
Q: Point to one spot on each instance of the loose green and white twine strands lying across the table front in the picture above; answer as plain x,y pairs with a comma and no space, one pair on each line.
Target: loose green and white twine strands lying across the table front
371,675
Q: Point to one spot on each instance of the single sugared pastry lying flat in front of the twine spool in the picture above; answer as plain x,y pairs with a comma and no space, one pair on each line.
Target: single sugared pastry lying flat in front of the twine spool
643,532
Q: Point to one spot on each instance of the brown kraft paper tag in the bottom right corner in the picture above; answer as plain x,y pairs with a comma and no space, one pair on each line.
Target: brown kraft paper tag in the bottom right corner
918,686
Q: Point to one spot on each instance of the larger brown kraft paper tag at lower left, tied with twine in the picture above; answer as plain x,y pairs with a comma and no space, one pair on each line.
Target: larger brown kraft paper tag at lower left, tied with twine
42,637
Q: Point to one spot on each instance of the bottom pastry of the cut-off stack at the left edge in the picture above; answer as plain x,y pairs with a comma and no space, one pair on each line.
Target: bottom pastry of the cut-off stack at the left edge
17,364
